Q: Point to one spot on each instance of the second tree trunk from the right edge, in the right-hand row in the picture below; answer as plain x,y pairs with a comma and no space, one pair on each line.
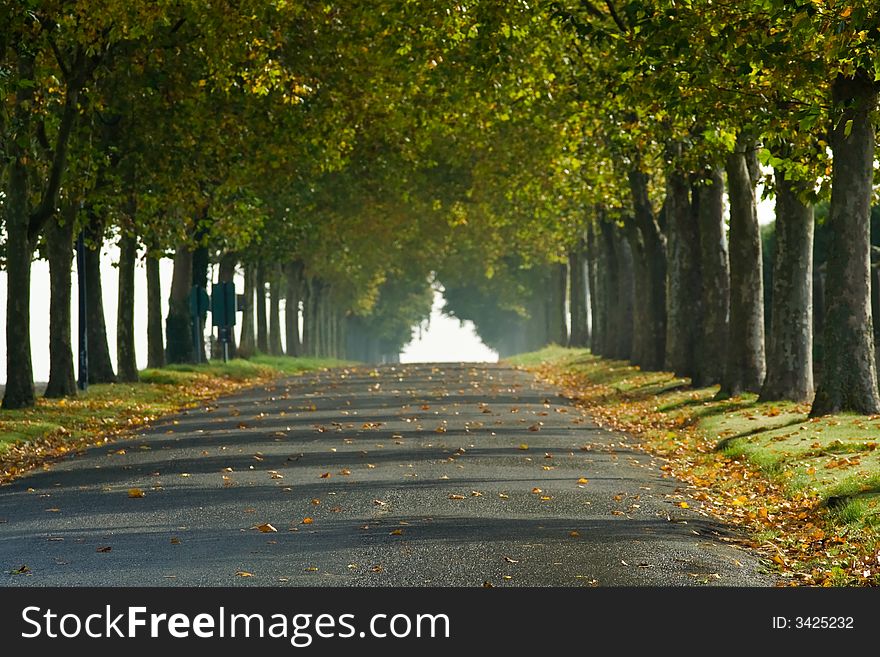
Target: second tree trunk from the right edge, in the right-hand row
790,341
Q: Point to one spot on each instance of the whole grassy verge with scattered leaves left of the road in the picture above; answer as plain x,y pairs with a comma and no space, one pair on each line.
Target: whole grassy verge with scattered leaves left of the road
35,437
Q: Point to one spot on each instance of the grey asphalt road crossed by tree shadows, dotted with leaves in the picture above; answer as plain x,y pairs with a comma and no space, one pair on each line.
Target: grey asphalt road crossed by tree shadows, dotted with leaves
410,475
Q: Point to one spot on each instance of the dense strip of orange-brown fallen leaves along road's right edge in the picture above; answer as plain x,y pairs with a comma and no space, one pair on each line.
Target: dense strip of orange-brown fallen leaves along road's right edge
794,531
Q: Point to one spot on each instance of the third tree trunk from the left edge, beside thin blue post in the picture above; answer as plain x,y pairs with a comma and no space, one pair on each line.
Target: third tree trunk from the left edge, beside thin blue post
100,364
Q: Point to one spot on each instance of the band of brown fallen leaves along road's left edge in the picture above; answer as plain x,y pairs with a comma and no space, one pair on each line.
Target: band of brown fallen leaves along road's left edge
89,429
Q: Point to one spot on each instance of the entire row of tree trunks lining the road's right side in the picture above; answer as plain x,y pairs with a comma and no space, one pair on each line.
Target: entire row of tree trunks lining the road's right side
689,297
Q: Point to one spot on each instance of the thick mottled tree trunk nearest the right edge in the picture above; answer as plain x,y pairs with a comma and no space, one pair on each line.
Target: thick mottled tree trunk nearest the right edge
849,374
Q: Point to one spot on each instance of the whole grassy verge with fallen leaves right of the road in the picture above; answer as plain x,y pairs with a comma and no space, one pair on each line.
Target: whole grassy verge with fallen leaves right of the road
805,490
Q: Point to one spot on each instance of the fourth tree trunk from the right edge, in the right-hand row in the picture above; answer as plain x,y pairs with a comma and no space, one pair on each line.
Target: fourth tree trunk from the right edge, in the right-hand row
715,292
